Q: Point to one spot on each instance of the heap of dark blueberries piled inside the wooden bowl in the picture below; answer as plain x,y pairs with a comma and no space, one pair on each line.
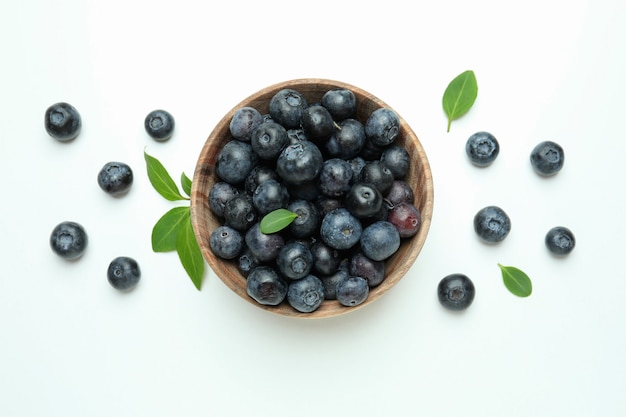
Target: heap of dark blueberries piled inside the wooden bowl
342,178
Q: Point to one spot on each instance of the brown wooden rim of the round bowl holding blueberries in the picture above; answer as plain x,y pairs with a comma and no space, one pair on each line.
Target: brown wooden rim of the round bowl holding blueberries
416,242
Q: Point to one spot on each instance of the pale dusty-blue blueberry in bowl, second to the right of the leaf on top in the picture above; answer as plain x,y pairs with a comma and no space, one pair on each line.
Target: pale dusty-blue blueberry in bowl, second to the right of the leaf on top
340,229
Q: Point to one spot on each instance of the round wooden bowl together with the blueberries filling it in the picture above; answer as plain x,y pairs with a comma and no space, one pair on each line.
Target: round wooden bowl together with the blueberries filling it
293,289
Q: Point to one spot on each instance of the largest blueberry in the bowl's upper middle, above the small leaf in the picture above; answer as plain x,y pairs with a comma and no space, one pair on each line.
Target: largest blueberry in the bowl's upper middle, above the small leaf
299,162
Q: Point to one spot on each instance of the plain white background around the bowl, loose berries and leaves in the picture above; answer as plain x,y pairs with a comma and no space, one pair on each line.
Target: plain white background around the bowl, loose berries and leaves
70,345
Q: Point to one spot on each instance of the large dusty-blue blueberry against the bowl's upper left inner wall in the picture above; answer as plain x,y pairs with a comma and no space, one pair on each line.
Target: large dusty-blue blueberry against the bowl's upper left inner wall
235,161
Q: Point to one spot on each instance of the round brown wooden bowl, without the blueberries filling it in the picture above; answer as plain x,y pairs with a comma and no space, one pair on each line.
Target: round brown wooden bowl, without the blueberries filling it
204,221
